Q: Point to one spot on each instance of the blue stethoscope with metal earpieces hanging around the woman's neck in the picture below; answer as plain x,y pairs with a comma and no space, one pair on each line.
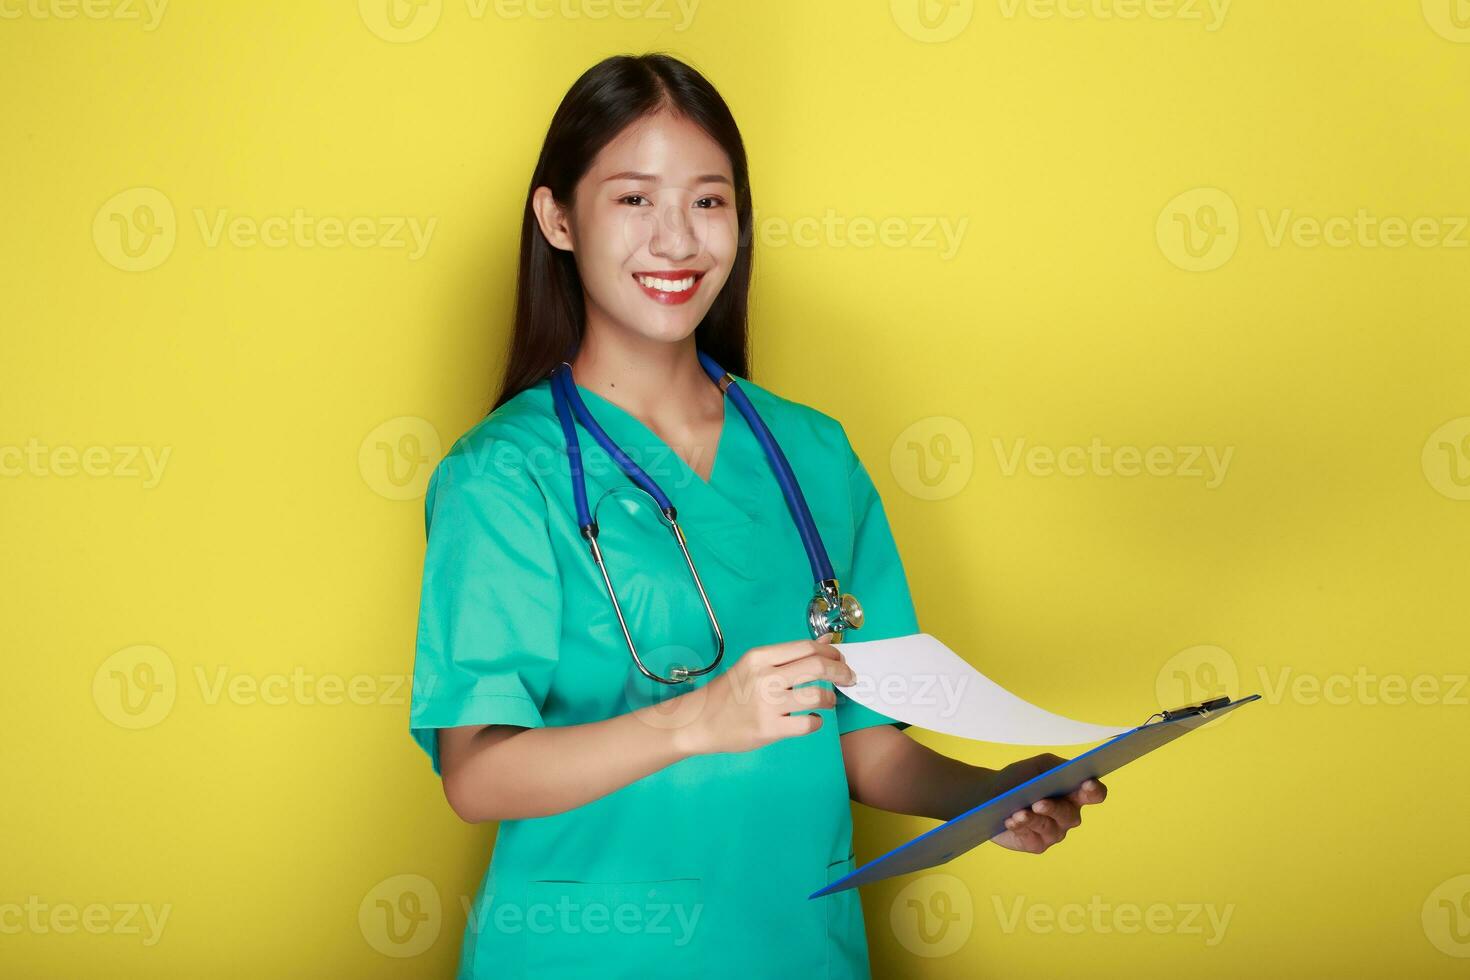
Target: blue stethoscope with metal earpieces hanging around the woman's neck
830,609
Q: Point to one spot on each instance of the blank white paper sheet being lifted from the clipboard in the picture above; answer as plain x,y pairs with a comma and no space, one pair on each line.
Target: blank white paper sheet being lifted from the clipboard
921,681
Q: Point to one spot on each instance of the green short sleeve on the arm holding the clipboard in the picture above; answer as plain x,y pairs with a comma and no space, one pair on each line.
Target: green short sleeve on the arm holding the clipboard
880,584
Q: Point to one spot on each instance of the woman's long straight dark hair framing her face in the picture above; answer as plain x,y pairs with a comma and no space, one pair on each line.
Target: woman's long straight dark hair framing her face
602,104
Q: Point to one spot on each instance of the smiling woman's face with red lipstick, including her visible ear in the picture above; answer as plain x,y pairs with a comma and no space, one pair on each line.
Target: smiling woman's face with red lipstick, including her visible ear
653,228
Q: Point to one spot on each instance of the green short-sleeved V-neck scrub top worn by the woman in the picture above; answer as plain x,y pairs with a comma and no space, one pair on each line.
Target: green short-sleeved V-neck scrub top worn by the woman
702,869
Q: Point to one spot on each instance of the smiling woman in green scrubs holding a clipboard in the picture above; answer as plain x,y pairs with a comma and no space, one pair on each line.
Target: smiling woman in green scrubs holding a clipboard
653,829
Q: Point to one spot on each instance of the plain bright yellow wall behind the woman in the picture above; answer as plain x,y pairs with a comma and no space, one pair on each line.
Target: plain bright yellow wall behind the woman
280,553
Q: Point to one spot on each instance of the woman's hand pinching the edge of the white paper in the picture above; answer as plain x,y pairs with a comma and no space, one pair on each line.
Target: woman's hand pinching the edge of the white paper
750,705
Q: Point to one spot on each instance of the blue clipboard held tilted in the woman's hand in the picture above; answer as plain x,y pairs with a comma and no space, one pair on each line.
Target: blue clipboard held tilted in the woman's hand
980,825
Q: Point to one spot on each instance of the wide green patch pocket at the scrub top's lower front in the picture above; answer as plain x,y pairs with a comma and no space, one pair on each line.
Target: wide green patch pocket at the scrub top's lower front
614,929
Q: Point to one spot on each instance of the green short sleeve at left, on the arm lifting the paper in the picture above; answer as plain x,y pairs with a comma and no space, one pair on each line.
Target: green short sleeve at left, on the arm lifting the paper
490,609
